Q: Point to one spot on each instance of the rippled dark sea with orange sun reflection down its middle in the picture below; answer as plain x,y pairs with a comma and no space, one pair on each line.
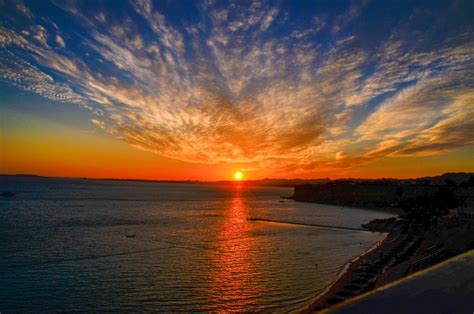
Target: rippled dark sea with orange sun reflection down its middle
64,246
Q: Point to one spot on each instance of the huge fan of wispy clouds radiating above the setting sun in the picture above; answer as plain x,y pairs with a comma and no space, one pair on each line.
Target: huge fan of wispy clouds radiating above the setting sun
246,83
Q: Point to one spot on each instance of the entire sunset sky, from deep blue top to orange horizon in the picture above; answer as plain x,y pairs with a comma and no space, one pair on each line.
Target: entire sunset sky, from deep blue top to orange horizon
199,89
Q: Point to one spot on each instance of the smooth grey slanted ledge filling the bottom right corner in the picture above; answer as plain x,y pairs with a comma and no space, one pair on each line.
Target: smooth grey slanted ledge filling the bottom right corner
447,287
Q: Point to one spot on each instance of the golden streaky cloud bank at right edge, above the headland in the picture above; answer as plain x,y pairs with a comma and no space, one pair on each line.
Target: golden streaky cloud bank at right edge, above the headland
431,117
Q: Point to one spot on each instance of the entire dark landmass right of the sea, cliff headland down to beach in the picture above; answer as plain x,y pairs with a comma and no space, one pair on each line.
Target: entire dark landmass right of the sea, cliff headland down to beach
436,222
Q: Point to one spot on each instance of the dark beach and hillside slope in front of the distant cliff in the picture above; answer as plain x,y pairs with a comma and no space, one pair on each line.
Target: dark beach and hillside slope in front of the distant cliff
407,248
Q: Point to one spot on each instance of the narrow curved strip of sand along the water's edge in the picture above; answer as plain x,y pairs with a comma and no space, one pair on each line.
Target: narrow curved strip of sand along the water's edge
344,275
